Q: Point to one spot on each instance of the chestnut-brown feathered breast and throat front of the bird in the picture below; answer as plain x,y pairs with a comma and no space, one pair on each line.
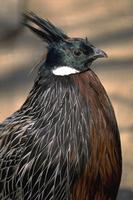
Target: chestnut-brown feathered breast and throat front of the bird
101,177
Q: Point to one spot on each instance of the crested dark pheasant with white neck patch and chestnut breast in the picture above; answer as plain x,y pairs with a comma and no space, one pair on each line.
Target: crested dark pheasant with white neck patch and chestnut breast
64,142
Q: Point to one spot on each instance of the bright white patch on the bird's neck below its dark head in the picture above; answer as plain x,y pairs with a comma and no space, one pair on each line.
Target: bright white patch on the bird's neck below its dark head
64,70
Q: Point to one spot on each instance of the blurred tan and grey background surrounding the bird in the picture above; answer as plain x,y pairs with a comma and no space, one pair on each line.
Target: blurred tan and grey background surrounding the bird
107,24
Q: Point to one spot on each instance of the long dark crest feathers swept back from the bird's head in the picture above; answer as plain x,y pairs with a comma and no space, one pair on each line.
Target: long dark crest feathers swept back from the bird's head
44,28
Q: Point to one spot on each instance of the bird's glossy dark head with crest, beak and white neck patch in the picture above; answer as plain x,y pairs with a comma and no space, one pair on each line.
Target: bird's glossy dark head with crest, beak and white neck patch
65,55
